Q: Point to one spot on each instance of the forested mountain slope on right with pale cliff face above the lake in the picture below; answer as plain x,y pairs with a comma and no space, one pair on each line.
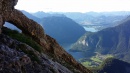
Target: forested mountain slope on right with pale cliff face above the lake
115,41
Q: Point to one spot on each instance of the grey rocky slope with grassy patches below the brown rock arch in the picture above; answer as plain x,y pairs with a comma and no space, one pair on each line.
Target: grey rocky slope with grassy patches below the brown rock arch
17,57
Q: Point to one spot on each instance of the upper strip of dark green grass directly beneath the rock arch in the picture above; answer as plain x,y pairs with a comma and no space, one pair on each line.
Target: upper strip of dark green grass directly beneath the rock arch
22,38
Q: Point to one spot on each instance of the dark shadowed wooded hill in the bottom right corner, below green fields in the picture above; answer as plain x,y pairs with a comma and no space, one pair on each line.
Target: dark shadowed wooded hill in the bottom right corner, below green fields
111,65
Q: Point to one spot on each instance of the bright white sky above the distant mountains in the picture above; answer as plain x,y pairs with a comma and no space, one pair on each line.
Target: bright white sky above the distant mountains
73,5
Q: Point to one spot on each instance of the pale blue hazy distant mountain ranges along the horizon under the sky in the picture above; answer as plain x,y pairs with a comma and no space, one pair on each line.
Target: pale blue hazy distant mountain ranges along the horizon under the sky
100,19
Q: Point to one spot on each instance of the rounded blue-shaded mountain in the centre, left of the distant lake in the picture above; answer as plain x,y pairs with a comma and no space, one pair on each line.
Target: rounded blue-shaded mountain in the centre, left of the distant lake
63,29
